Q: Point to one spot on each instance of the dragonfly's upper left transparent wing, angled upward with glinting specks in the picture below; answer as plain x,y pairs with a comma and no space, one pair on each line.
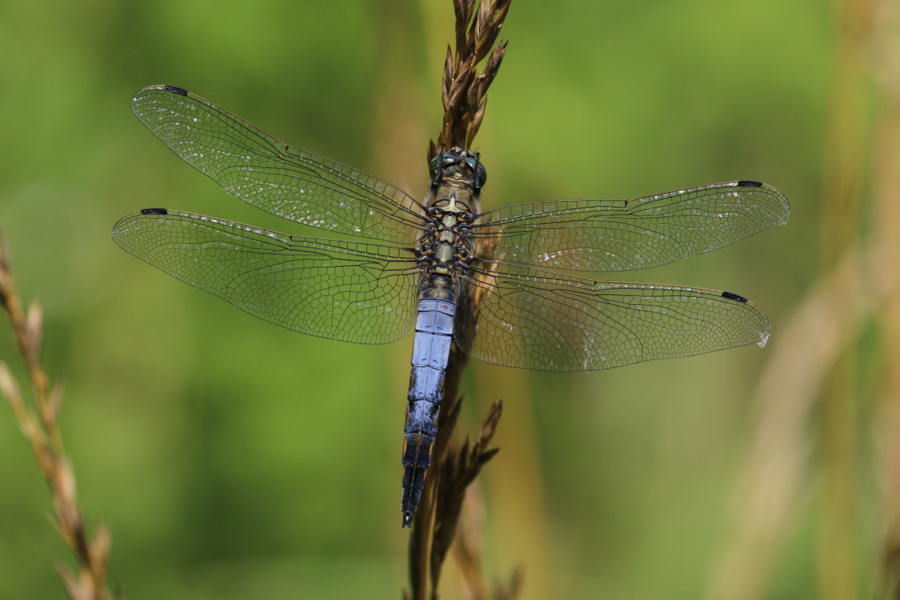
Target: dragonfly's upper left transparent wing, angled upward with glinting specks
272,176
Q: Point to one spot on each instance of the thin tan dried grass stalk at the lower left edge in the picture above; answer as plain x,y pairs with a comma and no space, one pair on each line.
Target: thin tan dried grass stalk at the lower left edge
38,421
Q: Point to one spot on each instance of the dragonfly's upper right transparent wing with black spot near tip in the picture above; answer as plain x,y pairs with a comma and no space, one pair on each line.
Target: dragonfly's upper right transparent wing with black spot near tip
622,235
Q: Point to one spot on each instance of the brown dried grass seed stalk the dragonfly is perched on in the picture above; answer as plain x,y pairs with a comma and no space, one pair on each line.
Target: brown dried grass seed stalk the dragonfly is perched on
464,97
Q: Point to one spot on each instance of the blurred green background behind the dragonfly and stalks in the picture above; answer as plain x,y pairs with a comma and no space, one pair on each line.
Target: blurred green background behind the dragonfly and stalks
234,459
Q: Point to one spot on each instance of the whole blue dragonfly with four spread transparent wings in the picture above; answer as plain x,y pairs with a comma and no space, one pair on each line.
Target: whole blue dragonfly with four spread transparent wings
511,286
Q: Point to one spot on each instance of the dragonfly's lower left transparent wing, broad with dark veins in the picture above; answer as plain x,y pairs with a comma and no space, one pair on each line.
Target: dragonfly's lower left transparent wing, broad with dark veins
347,291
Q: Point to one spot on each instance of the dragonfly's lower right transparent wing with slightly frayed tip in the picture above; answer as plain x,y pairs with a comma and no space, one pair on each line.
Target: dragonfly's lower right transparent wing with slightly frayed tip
553,322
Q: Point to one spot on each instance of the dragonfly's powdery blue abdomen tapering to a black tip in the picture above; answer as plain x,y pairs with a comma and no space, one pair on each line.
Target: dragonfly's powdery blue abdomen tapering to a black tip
431,349
